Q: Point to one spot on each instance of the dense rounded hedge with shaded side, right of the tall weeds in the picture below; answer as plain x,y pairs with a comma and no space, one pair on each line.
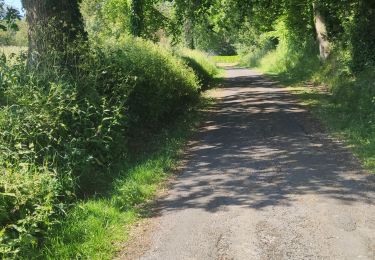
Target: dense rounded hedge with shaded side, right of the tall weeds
162,86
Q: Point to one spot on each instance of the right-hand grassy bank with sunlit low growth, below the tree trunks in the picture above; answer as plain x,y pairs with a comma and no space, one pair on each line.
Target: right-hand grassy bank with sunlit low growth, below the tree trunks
346,106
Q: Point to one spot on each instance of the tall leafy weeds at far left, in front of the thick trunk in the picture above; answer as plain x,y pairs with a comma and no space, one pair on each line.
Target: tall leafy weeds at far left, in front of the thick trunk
54,125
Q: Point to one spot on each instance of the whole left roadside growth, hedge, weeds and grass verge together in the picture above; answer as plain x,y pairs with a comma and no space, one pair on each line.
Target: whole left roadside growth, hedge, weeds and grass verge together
78,120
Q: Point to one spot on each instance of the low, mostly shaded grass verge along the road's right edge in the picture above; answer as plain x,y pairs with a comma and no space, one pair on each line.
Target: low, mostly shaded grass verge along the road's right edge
355,128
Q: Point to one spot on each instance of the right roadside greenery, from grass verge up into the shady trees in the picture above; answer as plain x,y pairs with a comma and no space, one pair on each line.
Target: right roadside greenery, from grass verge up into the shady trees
337,83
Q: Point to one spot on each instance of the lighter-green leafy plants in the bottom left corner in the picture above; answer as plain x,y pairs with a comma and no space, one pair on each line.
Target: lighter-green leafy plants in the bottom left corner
28,200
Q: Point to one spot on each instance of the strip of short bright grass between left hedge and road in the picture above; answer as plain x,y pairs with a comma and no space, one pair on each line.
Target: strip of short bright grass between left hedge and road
95,228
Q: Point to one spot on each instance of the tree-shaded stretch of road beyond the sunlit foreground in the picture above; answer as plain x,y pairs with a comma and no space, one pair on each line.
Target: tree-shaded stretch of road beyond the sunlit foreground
260,148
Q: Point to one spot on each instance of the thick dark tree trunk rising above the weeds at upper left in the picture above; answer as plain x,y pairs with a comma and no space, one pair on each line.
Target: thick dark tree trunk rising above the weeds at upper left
53,25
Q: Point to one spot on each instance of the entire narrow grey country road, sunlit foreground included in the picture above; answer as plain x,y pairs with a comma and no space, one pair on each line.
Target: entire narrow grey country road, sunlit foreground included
264,182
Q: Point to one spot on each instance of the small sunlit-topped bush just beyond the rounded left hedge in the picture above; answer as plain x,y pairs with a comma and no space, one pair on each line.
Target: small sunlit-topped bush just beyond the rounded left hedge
202,65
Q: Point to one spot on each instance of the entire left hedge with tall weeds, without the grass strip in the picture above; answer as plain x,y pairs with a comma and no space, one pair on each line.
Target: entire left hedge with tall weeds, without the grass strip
71,126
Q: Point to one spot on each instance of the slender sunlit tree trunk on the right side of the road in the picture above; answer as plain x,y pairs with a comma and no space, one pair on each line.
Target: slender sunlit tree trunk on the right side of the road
321,31
